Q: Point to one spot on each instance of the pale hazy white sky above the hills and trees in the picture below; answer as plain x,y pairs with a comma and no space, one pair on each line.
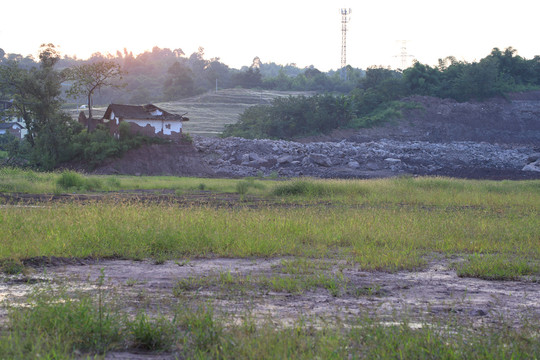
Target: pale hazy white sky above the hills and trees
304,32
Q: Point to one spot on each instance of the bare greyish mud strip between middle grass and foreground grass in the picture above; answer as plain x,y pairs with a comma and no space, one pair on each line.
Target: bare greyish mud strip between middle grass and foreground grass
434,292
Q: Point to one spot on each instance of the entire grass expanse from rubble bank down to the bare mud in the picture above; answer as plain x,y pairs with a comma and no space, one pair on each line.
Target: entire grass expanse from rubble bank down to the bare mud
388,224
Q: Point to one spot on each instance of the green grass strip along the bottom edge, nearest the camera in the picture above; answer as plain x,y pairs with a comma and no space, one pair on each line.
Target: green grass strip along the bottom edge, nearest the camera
60,327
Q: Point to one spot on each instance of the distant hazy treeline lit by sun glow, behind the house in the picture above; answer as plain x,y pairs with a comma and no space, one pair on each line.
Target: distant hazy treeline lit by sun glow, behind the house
168,75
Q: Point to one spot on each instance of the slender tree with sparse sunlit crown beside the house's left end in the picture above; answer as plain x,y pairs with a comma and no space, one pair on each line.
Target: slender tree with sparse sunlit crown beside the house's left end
88,78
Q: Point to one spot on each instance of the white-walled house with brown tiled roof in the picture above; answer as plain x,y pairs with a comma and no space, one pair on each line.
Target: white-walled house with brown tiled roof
146,120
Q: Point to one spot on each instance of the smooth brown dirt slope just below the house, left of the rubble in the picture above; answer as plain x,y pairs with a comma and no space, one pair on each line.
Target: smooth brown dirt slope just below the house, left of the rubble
168,159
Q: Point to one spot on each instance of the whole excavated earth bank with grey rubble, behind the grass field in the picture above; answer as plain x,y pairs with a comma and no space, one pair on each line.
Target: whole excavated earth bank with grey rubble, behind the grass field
495,139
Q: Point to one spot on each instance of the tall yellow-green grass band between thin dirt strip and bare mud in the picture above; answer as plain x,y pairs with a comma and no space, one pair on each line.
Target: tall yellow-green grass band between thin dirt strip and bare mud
386,237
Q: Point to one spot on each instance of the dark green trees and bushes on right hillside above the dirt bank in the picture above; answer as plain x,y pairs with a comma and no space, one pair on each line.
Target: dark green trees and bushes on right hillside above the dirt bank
375,97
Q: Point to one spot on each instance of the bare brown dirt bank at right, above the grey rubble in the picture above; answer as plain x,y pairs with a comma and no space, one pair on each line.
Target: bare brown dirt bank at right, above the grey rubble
515,120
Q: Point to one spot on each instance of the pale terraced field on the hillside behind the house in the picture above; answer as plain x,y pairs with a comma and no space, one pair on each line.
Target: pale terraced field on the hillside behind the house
210,112
